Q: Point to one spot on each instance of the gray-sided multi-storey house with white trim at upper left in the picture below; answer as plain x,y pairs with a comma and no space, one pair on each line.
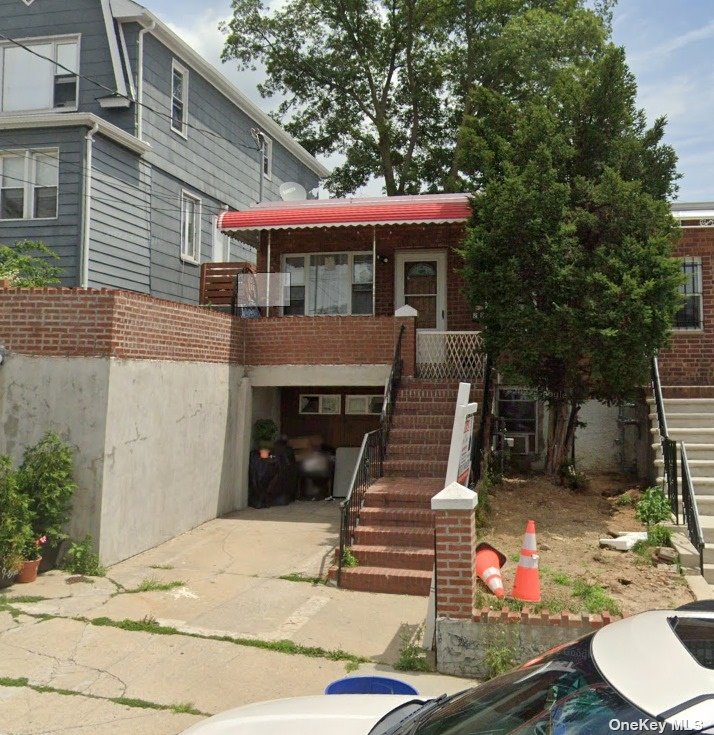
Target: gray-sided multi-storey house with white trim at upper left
138,185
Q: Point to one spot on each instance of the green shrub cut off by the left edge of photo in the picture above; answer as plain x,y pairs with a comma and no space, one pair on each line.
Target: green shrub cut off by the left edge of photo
15,521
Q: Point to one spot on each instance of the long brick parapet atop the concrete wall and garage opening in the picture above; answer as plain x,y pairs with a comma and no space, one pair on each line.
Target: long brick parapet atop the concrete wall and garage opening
106,323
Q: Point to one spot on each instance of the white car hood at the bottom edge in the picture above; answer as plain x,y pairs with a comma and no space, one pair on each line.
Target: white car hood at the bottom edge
346,714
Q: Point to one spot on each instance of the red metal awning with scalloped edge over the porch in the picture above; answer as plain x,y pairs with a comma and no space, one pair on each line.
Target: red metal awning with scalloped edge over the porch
420,209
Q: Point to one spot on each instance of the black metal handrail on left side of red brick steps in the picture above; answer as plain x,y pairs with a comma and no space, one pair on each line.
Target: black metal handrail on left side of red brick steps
370,461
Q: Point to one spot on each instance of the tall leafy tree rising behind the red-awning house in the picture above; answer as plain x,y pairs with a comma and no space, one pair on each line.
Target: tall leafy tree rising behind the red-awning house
388,83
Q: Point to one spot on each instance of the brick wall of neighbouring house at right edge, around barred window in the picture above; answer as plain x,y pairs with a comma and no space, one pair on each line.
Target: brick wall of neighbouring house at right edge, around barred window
690,358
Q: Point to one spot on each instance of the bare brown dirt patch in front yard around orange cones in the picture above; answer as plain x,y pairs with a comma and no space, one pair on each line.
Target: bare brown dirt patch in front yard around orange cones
568,528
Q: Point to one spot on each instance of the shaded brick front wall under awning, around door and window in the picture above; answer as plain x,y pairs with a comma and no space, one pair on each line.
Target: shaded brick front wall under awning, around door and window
389,240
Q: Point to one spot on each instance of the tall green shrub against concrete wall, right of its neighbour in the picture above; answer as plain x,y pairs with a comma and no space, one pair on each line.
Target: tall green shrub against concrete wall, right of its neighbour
45,478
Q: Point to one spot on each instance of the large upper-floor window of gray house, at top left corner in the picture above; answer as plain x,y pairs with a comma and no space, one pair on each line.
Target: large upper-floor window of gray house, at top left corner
43,76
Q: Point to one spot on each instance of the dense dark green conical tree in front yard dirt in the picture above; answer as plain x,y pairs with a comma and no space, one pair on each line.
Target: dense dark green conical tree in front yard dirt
569,251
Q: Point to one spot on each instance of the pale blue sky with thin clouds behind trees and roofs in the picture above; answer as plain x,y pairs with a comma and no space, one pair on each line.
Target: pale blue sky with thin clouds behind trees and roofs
669,46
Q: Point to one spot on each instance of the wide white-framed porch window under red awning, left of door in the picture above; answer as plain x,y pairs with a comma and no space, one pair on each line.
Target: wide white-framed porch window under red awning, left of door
329,283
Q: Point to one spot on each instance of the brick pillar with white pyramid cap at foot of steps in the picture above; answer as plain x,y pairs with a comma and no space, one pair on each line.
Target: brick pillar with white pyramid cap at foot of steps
455,524
